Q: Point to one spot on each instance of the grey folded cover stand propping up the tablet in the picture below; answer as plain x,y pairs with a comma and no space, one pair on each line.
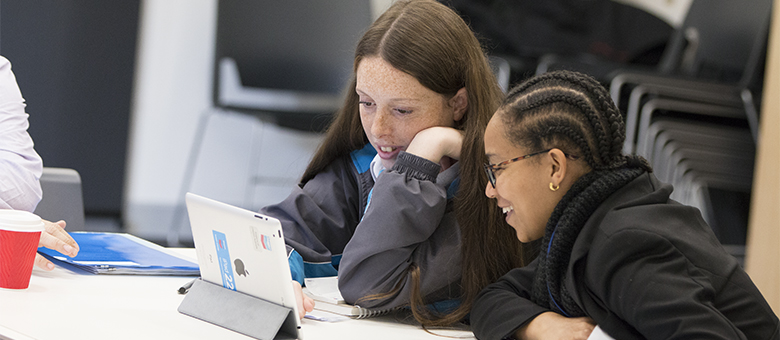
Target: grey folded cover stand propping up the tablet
238,312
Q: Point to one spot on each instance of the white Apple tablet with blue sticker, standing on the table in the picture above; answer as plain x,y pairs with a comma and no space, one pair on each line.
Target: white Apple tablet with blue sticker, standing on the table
243,251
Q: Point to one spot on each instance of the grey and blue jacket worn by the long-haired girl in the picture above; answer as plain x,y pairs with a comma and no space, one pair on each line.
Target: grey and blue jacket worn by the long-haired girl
370,233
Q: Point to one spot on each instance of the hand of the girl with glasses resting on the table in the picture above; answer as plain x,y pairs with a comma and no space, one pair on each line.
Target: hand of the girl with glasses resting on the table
552,325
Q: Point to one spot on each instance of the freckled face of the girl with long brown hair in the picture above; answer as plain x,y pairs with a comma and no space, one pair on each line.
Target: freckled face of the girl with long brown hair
394,107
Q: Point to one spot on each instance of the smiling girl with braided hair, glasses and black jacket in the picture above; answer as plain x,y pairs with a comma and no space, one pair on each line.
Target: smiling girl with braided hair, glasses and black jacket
615,250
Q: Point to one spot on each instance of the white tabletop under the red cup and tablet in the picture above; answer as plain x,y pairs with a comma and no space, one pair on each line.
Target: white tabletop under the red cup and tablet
64,305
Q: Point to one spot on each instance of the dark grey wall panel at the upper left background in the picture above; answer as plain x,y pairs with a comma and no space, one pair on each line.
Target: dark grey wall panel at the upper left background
74,63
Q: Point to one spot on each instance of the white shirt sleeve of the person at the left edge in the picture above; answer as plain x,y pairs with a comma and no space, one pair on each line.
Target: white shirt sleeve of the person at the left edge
20,165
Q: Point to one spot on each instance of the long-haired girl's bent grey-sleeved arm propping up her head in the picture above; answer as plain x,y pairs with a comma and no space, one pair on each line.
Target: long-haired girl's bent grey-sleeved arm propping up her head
409,221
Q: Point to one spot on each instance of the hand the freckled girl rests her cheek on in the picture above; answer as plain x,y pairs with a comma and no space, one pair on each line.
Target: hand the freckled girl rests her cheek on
434,143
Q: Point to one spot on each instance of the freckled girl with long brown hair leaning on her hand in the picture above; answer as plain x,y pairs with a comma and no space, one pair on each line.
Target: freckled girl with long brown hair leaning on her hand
397,183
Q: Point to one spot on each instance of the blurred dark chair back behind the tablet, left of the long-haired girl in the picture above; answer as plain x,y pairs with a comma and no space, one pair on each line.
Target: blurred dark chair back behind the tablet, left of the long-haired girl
285,51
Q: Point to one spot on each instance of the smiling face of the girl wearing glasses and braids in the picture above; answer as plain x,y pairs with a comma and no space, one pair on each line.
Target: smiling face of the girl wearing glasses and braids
521,187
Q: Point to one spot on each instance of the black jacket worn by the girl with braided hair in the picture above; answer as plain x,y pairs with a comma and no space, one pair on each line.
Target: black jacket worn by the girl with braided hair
643,267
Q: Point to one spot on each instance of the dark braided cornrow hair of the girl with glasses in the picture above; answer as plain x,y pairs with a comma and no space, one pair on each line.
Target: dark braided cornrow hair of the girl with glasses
570,111
